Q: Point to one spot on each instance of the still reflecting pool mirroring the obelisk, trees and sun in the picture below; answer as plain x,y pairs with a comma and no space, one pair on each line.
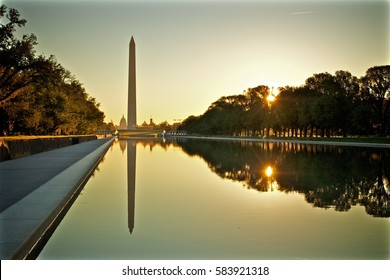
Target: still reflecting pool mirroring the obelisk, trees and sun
207,199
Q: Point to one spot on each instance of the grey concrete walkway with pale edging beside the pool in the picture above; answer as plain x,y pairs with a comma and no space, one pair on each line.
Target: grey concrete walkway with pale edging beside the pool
35,191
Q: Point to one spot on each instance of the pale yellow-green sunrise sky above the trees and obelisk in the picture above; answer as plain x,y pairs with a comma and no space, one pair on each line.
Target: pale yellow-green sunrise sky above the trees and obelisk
190,53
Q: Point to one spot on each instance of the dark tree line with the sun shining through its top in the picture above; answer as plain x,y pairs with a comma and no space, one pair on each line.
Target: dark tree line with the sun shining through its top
326,105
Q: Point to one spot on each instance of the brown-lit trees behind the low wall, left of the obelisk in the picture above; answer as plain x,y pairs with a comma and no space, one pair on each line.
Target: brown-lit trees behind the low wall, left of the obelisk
37,94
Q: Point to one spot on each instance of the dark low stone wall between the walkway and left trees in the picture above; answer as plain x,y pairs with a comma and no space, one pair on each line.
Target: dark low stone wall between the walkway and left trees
16,148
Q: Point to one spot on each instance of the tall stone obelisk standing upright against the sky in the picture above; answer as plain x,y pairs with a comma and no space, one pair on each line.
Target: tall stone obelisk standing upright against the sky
131,105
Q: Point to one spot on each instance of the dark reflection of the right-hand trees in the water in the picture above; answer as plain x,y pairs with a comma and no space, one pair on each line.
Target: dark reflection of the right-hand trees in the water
328,176
